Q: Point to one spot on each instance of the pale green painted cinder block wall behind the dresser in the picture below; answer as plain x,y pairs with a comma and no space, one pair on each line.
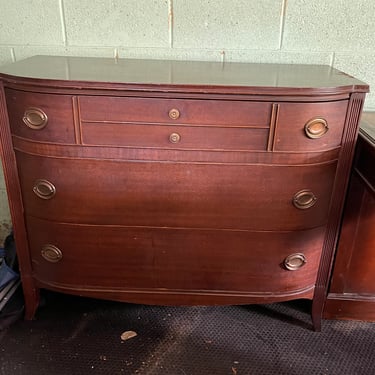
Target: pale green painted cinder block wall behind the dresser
339,33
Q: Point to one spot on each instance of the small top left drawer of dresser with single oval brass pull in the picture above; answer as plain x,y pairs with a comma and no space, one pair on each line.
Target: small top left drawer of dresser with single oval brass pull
41,117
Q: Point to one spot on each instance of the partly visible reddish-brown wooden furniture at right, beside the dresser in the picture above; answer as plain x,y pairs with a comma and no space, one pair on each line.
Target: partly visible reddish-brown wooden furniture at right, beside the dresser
352,290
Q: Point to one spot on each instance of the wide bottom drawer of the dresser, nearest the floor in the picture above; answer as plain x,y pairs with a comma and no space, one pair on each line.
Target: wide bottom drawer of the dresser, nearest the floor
88,256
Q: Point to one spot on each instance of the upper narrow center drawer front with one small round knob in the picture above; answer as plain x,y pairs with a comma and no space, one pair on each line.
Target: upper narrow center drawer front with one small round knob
174,111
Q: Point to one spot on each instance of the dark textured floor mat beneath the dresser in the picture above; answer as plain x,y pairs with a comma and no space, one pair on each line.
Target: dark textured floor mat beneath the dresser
73,335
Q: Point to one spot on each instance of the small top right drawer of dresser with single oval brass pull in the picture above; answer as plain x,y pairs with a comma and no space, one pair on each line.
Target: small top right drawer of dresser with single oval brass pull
310,126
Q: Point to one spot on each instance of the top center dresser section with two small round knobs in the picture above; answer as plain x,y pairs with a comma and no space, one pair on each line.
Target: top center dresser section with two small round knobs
170,123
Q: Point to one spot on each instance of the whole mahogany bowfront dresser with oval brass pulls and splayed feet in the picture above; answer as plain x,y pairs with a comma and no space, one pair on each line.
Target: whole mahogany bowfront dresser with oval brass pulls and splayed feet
166,182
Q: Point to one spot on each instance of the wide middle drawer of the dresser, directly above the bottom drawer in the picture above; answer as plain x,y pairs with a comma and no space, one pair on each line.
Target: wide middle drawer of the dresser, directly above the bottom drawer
162,194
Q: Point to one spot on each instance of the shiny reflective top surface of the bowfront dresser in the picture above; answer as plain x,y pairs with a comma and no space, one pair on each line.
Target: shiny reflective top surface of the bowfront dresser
132,72
